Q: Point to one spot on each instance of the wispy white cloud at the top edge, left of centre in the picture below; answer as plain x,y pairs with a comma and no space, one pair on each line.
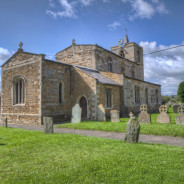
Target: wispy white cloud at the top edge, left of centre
68,10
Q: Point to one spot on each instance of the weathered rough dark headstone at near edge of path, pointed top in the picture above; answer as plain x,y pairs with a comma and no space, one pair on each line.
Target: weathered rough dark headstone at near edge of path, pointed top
132,130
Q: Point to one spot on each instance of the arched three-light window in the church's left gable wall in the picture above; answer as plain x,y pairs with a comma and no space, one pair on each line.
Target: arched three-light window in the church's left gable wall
18,90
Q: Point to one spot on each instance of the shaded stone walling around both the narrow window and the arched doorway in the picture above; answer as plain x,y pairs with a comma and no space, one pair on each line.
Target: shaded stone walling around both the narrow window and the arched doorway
76,84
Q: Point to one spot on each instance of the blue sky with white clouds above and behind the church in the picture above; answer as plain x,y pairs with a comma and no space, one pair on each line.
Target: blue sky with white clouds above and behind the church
48,26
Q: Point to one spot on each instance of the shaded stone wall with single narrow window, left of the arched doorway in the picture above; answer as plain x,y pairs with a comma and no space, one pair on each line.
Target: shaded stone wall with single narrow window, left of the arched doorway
53,74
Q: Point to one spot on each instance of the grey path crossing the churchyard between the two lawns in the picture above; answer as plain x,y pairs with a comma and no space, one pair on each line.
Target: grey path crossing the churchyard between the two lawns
174,141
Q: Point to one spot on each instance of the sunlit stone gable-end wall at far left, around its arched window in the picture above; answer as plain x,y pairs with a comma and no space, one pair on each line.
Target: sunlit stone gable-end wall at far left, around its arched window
28,66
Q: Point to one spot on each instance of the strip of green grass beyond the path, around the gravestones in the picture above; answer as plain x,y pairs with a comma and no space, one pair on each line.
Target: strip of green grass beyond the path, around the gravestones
154,128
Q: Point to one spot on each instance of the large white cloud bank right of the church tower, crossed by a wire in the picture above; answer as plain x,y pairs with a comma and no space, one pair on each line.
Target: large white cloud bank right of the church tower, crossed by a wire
165,68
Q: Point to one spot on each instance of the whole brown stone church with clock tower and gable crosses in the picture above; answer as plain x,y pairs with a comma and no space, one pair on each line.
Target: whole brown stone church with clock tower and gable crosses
34,87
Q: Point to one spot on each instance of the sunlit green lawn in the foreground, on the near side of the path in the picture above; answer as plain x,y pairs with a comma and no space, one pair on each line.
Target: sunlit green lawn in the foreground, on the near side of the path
34,157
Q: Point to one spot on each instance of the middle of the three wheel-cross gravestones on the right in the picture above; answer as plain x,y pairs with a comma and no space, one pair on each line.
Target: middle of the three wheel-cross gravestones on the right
163,117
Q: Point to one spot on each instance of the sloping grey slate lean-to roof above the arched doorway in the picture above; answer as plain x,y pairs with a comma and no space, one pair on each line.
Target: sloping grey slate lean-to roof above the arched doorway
99,76
